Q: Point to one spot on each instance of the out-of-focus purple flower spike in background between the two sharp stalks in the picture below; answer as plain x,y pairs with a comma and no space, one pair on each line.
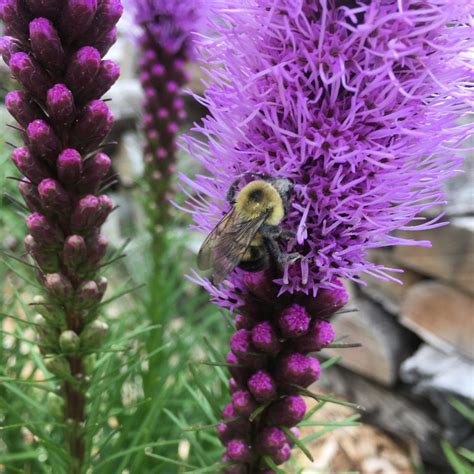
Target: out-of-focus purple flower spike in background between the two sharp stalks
166,47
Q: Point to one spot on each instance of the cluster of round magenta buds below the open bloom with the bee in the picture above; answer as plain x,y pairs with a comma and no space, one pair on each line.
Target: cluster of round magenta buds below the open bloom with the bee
270,361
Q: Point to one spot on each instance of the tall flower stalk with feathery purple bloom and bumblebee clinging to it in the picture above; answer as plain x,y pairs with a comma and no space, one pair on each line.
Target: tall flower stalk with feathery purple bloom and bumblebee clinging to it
357,103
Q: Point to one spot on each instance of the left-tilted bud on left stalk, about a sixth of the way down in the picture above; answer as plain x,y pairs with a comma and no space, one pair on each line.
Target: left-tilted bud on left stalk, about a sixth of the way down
30,74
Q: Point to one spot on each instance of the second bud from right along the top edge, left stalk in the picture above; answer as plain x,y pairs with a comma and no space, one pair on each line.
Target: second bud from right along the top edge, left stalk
76,17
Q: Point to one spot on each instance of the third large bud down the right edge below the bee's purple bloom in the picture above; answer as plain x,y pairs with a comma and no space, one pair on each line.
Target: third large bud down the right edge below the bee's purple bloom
298,369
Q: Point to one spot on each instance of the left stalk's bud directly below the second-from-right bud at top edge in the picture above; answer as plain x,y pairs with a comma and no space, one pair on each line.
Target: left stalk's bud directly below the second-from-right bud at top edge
82,69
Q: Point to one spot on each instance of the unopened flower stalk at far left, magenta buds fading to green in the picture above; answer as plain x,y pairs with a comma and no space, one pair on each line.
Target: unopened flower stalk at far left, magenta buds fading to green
54,49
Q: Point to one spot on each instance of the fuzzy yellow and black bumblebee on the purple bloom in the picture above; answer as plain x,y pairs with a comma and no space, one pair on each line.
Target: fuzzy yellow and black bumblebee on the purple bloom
246,237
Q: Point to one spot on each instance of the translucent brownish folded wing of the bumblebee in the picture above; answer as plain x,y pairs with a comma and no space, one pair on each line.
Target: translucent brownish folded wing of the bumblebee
225,246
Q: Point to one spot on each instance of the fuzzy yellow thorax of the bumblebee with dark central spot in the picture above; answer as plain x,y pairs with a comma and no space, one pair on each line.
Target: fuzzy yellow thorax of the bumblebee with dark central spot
258,197
